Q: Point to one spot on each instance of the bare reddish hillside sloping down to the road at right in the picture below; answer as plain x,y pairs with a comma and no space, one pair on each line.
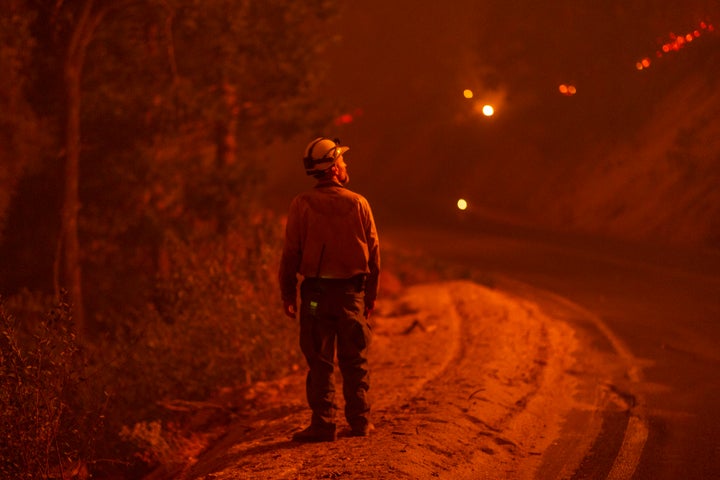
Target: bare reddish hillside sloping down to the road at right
661,187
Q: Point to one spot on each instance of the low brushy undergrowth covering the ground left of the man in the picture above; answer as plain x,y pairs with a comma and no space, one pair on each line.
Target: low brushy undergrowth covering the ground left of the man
214,324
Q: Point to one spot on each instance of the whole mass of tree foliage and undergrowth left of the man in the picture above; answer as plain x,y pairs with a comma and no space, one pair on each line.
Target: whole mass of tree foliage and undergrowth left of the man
178,256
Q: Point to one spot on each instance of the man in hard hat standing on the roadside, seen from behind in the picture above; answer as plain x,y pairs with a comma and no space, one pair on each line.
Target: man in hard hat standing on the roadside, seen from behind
332,243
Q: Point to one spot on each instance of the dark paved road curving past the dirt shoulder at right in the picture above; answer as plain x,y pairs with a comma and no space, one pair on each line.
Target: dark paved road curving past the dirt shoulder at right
661,307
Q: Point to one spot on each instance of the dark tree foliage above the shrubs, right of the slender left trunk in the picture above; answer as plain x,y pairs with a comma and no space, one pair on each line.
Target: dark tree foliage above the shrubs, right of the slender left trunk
186,95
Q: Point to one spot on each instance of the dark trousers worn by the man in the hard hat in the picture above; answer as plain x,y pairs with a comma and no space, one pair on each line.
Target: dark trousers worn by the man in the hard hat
331,312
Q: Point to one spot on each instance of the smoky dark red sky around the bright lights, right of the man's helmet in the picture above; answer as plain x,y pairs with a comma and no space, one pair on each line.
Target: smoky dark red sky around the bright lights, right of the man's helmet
400,69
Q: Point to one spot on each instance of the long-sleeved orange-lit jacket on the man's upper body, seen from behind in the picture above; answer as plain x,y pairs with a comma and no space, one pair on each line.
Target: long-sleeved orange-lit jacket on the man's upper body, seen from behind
330,233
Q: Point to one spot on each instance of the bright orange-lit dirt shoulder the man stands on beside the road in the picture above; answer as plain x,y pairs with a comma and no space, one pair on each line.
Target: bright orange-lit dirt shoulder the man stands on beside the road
468,382
